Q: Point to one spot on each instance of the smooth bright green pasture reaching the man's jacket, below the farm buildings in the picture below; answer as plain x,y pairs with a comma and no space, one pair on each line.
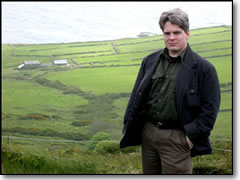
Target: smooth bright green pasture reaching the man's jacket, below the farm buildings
97,80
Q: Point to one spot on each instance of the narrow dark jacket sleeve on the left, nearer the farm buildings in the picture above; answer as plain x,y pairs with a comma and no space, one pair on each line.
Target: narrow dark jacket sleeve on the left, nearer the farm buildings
133,94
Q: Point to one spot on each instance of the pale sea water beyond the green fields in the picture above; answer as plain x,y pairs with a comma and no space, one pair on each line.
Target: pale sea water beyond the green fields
63,22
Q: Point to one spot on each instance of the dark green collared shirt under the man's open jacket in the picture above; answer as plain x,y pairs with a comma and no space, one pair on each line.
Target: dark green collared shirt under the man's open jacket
162,95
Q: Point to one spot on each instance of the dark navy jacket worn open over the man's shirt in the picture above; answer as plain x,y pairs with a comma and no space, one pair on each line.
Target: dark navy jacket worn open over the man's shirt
197,100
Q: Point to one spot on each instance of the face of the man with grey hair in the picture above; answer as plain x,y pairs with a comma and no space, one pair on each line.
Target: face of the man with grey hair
175,38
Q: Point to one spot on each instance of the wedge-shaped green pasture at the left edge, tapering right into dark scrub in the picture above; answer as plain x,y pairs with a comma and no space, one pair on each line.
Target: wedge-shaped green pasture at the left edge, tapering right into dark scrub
36,98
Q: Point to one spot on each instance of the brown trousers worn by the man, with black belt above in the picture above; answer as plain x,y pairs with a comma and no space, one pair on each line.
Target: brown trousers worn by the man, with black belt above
165,151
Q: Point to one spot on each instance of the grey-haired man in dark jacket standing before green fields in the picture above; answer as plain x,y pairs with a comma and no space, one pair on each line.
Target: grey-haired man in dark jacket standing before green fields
174,103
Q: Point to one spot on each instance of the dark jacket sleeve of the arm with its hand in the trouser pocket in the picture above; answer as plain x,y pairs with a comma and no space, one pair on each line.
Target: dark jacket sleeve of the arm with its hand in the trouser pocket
202,125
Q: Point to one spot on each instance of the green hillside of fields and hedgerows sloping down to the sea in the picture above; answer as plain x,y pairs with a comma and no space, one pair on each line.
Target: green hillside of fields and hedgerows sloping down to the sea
51,114
